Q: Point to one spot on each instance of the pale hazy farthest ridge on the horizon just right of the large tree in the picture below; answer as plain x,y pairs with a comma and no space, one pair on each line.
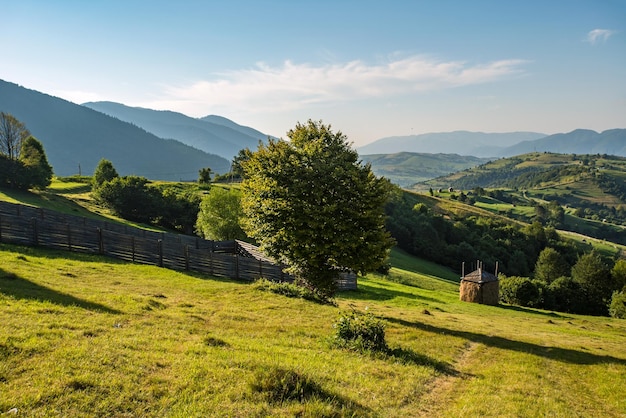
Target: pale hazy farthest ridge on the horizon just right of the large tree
478,144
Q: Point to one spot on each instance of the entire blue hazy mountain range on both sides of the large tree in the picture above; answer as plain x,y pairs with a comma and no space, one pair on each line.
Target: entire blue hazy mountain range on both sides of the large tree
165,145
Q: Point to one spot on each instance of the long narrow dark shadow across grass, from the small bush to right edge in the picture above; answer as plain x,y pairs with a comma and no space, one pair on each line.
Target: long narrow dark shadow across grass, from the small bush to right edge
564,355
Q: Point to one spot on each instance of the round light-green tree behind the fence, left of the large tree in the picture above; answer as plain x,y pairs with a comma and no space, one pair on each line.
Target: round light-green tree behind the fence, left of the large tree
219,216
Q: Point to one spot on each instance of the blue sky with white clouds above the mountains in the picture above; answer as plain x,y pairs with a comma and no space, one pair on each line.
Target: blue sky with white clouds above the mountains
370,69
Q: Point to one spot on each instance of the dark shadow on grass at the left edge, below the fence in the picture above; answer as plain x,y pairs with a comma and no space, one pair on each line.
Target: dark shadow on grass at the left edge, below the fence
20,288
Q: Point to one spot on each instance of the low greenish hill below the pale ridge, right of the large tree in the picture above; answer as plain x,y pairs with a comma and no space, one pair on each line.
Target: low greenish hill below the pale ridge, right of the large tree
408,168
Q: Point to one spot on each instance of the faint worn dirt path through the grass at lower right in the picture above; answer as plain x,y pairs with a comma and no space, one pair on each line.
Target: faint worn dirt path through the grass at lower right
442,389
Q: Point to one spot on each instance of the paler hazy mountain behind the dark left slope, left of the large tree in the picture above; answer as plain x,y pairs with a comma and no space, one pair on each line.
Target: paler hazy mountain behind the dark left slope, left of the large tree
213,134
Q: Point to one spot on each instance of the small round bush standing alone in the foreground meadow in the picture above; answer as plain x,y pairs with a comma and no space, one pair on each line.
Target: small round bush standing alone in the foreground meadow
360,332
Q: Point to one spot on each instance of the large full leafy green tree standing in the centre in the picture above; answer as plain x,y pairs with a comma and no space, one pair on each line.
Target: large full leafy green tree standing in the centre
312,204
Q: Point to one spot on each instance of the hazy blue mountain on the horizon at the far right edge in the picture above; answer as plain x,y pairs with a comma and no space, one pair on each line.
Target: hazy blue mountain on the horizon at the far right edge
580,141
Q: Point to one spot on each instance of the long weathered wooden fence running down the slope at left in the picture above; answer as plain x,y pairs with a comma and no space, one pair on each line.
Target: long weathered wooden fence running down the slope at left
27,225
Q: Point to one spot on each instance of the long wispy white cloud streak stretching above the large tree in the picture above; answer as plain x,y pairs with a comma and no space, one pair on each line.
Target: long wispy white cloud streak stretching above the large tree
291,86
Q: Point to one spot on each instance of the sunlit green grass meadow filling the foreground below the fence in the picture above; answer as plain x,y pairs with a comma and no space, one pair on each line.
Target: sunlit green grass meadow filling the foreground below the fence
89,336
